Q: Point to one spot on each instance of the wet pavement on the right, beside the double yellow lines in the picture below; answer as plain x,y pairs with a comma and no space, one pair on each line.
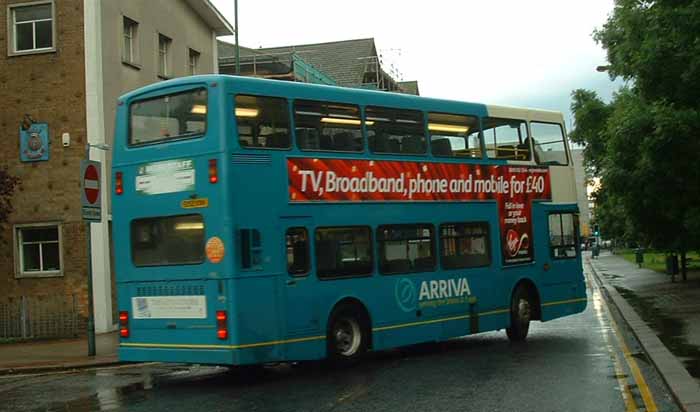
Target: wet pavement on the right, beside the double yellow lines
663,316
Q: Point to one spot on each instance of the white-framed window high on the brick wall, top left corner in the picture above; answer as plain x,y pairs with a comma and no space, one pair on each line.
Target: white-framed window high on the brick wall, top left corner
32,28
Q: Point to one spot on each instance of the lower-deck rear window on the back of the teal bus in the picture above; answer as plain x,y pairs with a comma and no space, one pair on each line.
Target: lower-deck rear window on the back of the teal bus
168,240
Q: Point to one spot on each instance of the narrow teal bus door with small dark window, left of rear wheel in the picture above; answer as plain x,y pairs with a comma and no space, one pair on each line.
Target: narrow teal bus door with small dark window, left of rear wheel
299,286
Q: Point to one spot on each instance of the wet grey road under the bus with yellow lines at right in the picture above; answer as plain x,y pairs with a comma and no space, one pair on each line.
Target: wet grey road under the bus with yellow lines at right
587,362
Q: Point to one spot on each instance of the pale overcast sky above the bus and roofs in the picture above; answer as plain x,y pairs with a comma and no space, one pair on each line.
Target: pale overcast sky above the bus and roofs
509,52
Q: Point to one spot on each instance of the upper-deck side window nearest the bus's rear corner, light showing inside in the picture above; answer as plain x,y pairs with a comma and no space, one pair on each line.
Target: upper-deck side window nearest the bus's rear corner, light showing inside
263,122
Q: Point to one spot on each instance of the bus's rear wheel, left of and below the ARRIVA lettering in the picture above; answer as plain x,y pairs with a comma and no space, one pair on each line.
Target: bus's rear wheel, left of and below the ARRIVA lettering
347,334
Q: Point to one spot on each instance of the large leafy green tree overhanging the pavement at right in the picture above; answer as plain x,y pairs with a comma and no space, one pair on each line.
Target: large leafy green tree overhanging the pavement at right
645,144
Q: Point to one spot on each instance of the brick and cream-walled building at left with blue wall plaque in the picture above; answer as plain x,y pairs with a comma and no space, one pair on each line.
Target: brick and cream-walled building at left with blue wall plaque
63,63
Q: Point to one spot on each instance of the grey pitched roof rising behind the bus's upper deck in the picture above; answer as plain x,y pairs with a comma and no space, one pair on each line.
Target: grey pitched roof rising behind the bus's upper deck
344,61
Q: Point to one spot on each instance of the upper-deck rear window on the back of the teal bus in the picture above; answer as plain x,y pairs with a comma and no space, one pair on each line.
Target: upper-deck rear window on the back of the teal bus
172,117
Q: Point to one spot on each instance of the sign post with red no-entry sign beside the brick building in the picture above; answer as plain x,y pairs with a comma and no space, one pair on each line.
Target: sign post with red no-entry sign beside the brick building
91,207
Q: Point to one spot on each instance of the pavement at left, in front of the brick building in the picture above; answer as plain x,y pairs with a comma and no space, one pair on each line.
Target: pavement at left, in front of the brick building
58,355
